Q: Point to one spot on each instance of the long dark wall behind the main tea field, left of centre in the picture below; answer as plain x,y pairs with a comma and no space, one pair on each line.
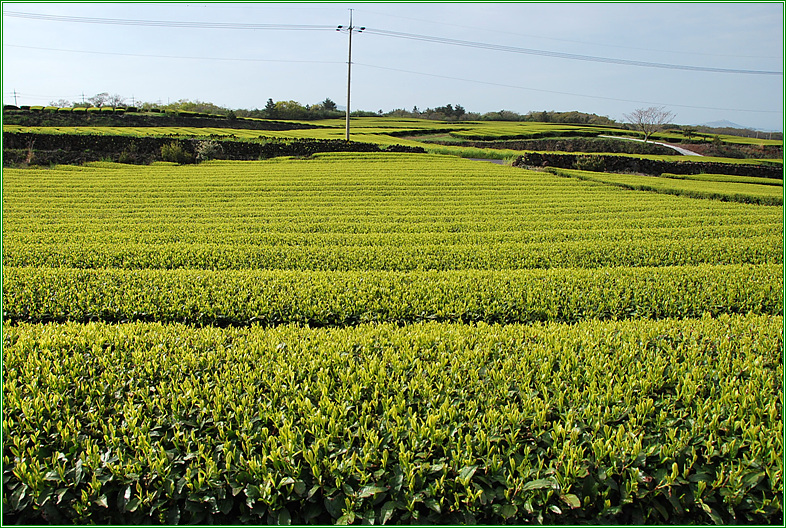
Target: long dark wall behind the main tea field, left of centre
79,148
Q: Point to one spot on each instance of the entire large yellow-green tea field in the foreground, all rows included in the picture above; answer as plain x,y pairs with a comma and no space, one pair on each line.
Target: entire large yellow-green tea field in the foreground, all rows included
385,338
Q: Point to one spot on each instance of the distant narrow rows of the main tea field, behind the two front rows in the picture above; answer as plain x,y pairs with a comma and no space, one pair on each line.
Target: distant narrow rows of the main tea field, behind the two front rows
395,212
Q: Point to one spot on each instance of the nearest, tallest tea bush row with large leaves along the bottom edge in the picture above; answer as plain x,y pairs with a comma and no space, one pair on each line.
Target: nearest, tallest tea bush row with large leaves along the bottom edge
627,422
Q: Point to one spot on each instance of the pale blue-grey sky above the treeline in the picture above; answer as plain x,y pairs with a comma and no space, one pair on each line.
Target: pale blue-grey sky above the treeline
704,62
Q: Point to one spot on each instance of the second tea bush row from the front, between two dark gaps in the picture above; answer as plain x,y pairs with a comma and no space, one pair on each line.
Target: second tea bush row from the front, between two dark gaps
241,297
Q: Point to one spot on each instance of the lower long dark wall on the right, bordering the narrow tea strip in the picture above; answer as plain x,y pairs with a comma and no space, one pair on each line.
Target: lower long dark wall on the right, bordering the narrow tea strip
601,163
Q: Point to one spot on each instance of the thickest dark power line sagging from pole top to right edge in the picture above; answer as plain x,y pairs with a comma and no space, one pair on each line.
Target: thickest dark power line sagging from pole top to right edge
561,55
